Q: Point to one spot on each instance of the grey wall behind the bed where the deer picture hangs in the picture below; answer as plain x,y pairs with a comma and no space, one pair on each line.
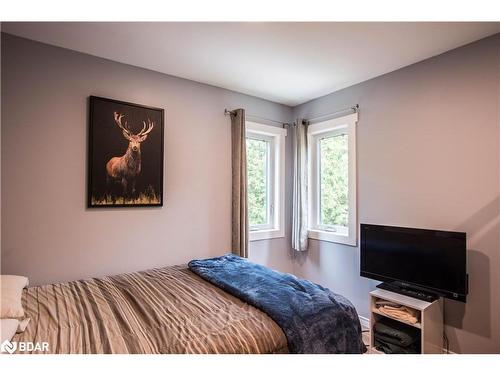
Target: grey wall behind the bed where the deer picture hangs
48,234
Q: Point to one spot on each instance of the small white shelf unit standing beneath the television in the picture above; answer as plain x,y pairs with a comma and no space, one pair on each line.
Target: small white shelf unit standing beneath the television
430,324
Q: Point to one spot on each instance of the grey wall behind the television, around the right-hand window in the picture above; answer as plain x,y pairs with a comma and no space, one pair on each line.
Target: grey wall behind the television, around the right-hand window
428,156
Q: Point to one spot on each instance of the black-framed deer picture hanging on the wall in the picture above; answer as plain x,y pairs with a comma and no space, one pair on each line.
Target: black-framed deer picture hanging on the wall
125,164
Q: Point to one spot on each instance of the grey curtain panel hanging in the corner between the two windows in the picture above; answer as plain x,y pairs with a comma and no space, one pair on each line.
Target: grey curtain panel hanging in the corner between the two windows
300,182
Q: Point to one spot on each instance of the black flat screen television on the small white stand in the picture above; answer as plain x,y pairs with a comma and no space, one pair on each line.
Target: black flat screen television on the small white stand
427,261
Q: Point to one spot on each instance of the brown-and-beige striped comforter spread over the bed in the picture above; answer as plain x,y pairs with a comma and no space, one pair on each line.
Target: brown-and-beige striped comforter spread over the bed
165,310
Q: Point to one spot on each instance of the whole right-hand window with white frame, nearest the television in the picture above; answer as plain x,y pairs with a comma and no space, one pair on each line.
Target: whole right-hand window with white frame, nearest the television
332,180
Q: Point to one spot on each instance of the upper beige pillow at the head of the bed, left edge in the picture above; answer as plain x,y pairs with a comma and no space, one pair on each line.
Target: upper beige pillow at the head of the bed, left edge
11,289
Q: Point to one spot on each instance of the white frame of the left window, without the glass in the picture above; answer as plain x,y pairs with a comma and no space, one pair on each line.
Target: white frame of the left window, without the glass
276,176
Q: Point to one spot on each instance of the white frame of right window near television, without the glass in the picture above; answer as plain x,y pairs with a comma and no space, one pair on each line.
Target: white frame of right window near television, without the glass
316,132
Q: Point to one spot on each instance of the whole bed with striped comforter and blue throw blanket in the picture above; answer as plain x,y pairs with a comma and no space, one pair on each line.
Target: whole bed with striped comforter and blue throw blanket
225,304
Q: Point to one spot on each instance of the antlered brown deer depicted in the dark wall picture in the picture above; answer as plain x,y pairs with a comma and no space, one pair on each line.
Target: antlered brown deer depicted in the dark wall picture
125,169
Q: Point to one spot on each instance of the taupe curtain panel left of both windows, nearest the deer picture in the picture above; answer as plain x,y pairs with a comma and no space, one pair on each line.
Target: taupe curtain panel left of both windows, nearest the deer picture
239,175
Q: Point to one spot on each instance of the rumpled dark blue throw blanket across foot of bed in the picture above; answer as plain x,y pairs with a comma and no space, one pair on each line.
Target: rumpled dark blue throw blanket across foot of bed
314,319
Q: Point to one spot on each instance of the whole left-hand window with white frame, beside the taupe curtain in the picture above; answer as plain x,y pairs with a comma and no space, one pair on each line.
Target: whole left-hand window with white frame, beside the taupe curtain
265,180
